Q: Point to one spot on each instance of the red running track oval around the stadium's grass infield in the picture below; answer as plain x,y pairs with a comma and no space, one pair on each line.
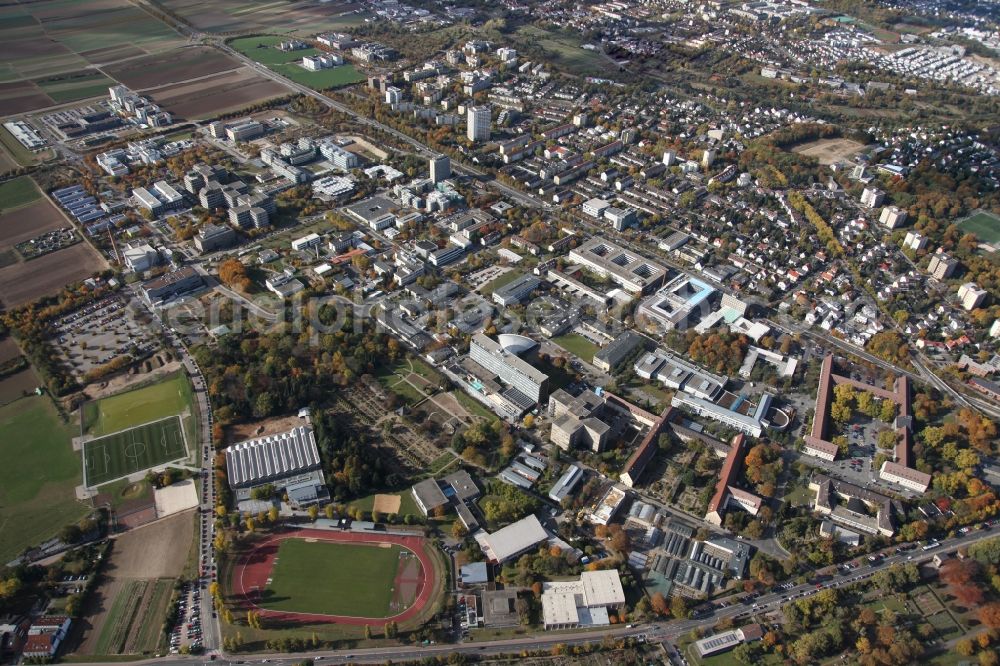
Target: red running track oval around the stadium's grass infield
254,568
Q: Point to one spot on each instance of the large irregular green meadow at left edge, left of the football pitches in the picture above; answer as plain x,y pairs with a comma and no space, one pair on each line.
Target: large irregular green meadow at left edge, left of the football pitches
38,476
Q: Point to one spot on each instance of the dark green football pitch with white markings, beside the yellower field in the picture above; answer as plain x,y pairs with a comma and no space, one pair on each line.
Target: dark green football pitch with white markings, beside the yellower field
134,450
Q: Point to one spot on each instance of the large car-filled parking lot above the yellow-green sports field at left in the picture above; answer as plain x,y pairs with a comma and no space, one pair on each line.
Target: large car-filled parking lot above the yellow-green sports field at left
99,333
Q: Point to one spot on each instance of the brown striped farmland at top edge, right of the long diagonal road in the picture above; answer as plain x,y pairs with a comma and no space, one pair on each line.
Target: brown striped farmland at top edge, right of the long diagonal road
270,15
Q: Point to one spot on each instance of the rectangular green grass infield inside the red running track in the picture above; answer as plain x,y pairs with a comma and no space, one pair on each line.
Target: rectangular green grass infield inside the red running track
332,579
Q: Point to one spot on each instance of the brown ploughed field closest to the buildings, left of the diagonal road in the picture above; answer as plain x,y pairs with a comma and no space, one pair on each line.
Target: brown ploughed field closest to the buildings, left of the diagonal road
216,94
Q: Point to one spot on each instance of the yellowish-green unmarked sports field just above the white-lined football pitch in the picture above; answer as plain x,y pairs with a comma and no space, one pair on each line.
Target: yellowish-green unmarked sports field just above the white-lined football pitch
142,405
